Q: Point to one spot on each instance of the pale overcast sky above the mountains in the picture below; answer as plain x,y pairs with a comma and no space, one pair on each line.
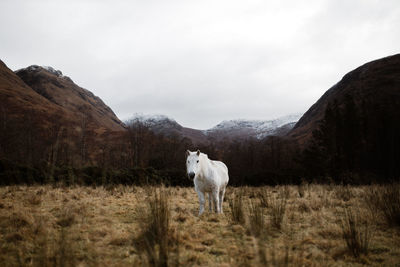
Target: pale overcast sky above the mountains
201,62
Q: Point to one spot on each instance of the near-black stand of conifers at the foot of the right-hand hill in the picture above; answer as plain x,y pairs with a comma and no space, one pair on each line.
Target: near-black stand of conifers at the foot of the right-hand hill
355,142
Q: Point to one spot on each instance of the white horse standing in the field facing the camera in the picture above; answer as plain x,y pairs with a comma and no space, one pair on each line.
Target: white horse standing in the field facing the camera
209,176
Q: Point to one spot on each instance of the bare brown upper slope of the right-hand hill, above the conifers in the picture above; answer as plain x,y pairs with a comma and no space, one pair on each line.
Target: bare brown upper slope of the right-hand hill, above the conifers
374,87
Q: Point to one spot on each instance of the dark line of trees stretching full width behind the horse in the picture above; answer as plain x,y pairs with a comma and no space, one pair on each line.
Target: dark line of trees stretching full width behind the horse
352,144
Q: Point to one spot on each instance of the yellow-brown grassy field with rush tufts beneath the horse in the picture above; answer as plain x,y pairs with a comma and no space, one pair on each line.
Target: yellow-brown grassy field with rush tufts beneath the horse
306,225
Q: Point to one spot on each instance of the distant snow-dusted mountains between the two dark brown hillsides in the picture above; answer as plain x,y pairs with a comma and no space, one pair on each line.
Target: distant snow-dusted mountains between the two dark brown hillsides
232,129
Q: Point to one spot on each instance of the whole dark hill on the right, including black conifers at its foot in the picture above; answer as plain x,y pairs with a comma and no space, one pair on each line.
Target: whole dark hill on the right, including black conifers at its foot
353,131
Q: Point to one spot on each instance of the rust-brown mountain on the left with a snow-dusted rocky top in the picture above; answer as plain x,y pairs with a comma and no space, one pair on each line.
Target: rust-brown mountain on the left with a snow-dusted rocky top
45,115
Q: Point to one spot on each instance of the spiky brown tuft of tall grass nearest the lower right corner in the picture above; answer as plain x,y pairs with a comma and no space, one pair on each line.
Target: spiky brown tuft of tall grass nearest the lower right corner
356,236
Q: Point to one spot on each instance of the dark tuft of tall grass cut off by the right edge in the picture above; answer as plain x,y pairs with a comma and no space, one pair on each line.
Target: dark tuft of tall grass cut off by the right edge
386,200
